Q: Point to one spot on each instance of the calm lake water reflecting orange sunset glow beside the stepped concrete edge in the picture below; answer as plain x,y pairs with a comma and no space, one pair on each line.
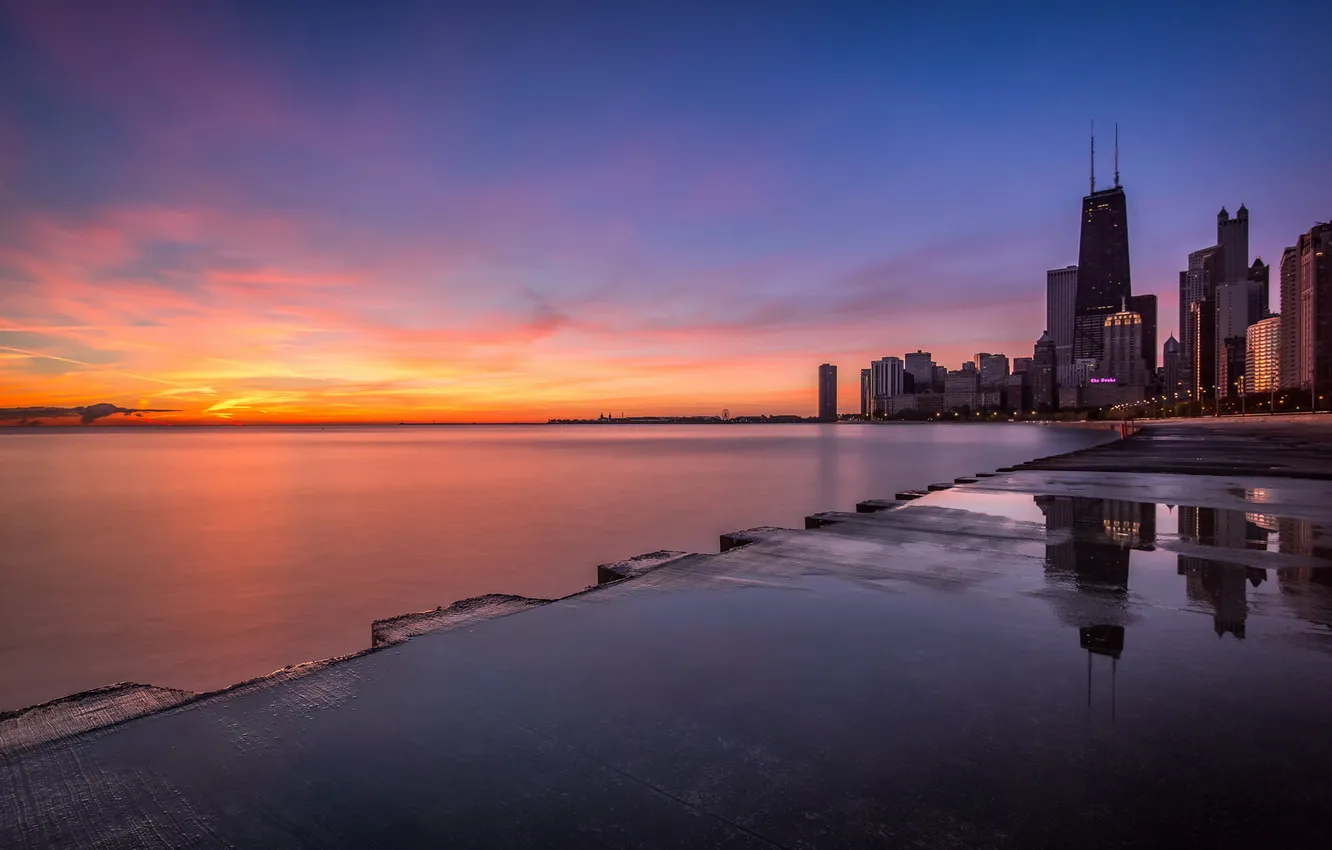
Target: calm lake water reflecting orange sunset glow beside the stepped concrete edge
198,559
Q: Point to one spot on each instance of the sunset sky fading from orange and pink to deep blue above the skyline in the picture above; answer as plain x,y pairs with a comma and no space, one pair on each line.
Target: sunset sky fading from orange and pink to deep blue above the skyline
283,212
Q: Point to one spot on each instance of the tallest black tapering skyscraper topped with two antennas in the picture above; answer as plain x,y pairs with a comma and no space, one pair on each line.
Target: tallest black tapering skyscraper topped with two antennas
1104,283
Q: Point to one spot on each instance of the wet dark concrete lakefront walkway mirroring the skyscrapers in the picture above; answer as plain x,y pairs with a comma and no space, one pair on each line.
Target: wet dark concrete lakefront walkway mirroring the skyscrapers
1045,657
